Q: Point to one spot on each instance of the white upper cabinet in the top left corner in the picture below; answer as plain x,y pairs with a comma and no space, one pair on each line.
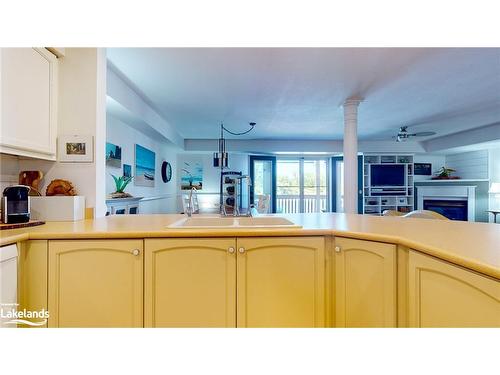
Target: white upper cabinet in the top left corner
28,106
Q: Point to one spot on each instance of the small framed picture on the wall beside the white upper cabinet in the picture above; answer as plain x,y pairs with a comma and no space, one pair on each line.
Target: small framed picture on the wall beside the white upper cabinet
75,148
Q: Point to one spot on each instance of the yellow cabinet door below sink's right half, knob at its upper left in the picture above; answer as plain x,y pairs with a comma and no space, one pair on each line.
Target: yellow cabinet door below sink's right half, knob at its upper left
281,282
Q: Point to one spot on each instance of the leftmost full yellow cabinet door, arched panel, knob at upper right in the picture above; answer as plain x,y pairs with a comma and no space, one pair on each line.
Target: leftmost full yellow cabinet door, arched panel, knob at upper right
95,283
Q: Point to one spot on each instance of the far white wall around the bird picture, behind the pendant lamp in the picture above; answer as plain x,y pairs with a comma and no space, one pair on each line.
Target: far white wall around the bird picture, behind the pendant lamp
208,197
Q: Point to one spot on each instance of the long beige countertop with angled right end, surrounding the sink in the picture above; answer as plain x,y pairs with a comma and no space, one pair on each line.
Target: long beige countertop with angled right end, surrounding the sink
473,245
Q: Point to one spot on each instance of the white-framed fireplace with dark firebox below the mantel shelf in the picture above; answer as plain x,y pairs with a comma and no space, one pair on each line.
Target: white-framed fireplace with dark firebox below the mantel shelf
454,202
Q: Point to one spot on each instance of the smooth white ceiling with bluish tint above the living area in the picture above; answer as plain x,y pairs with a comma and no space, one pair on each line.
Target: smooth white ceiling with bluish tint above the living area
296,93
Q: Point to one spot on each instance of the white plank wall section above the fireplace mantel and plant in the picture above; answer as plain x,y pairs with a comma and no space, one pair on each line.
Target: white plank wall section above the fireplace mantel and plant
469,165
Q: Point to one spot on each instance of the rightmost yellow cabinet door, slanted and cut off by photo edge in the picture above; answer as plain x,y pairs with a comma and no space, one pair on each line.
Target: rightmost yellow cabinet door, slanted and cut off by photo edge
445,295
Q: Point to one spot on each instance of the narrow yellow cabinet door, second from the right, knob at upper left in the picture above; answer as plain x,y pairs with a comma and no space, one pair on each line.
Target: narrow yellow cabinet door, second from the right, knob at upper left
365,283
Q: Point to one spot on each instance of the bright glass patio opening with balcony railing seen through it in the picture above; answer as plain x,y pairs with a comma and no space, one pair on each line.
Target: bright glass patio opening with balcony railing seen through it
302,185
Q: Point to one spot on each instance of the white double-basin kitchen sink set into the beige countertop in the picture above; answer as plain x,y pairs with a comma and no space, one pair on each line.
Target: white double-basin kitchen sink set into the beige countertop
201,222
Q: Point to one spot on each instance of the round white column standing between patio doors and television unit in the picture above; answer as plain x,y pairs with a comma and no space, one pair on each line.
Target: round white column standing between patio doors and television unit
351,155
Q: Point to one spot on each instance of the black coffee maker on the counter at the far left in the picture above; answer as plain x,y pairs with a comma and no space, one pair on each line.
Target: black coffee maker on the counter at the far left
16,204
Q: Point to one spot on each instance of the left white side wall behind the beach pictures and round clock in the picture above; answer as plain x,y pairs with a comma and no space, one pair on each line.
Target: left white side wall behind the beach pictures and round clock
125,136
